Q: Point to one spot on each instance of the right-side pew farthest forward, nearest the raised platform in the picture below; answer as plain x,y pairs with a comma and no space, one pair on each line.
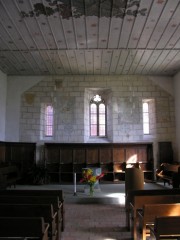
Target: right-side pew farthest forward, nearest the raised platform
132,193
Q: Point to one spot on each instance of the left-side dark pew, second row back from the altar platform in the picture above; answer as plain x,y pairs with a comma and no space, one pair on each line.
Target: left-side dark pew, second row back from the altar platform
54,200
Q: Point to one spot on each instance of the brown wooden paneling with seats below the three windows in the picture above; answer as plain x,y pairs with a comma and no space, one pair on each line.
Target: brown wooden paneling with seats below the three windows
110,157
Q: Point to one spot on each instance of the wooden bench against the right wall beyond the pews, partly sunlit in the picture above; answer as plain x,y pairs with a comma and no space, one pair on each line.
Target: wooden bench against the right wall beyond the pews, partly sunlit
169,173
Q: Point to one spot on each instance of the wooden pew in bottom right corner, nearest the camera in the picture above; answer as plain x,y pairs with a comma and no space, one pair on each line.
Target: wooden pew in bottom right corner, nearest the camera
165,227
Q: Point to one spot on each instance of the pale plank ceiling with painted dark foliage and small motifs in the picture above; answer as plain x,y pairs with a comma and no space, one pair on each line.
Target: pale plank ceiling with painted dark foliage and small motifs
49,37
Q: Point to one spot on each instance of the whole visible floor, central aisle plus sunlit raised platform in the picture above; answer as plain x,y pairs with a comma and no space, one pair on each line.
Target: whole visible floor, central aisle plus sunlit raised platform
101,217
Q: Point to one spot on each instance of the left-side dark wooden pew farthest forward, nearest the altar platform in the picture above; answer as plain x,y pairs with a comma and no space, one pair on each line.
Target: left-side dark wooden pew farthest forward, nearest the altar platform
57,193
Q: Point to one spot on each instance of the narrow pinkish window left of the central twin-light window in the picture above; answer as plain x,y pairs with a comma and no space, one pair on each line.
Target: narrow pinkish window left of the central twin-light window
49,121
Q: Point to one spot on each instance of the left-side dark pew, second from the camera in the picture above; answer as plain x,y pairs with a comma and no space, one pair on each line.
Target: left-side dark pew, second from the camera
34,210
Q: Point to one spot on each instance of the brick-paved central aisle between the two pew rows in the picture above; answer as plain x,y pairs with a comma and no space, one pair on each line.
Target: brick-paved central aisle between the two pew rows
95,222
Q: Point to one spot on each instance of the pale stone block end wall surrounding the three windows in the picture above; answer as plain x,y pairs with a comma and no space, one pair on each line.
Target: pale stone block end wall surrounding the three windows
70,96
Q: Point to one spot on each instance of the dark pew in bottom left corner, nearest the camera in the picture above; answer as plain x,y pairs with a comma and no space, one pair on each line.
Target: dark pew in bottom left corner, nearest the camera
16,227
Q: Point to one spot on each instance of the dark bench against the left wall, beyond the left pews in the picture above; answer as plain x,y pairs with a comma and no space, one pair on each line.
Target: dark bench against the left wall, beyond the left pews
9,175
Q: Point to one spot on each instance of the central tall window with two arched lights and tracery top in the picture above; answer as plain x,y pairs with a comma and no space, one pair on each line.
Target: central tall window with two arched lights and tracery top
97,117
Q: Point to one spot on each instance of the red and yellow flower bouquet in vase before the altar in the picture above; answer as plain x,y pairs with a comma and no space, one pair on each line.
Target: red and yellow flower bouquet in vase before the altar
89,178
